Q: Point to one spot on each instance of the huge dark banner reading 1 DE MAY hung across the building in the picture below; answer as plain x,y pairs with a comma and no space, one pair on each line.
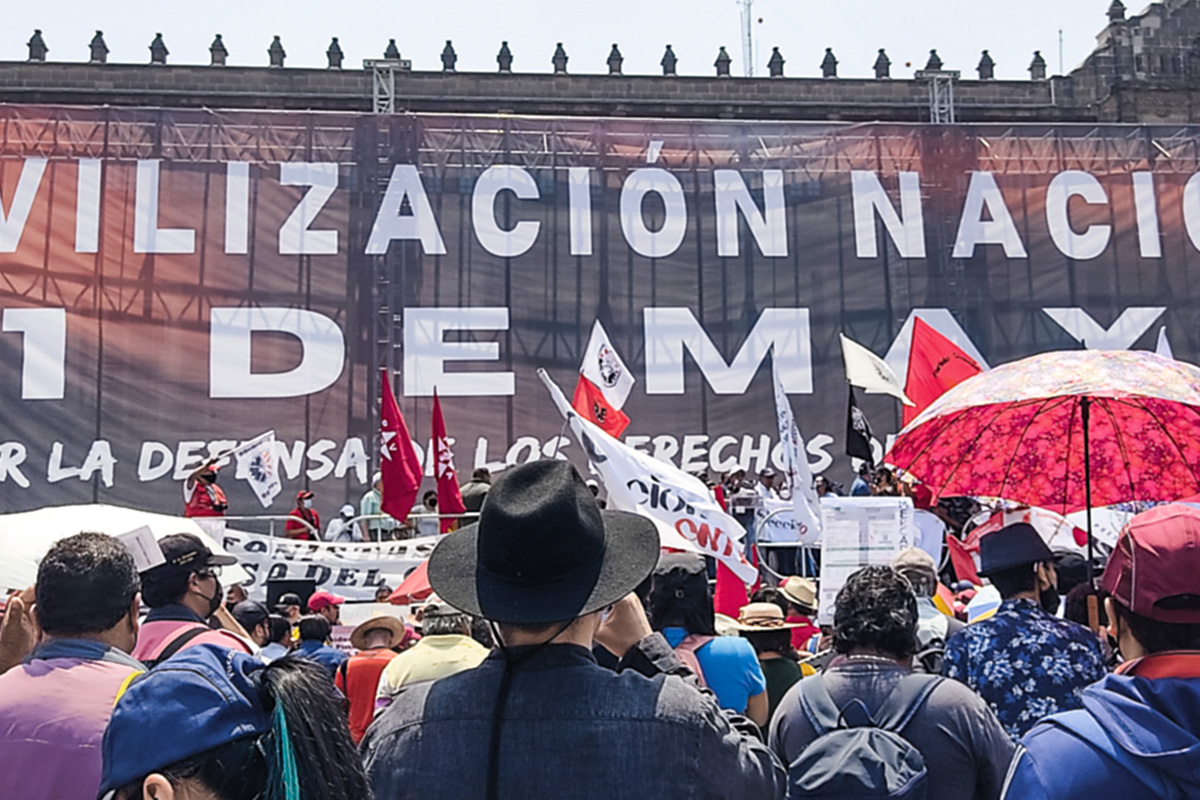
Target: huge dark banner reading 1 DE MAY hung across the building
173,282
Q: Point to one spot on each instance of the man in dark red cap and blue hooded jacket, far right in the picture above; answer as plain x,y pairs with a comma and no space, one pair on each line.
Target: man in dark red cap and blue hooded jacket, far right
1138,735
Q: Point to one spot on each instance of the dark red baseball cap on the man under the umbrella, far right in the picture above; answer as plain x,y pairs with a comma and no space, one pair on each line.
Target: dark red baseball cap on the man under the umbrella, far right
1154,569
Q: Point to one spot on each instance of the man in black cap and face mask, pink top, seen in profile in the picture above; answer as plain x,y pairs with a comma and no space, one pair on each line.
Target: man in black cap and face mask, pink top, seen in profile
183,593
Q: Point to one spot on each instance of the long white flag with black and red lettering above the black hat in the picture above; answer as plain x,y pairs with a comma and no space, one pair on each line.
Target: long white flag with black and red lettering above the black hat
685,512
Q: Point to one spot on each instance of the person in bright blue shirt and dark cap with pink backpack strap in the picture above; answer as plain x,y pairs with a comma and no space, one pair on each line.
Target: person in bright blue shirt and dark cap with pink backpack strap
682,609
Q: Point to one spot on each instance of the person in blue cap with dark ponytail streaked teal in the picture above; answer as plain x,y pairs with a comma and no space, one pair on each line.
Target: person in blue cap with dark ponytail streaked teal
219,725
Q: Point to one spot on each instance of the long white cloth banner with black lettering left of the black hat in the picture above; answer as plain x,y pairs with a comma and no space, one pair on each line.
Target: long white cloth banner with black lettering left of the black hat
351,570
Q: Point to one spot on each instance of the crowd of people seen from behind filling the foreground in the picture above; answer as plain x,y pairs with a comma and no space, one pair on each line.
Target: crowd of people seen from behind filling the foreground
565,655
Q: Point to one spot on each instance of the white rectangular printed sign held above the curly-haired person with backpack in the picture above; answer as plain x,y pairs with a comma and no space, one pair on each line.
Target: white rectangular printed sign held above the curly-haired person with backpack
860,532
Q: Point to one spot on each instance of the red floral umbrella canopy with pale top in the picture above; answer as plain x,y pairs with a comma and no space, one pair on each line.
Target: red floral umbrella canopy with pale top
1017,432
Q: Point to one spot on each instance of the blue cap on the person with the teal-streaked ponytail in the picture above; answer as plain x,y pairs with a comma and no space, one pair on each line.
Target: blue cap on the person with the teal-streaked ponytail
201,699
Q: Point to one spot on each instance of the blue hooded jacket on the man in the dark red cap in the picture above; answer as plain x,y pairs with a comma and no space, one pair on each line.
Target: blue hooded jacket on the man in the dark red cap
1151,723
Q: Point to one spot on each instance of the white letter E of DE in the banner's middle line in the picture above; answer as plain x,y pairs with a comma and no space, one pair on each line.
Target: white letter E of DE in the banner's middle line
427,352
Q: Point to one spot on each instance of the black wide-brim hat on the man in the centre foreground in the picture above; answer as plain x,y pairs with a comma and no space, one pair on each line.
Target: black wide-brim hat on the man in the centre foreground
543,551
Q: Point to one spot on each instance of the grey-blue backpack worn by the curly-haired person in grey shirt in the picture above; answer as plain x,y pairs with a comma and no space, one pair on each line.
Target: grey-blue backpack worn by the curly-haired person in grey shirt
856,756
